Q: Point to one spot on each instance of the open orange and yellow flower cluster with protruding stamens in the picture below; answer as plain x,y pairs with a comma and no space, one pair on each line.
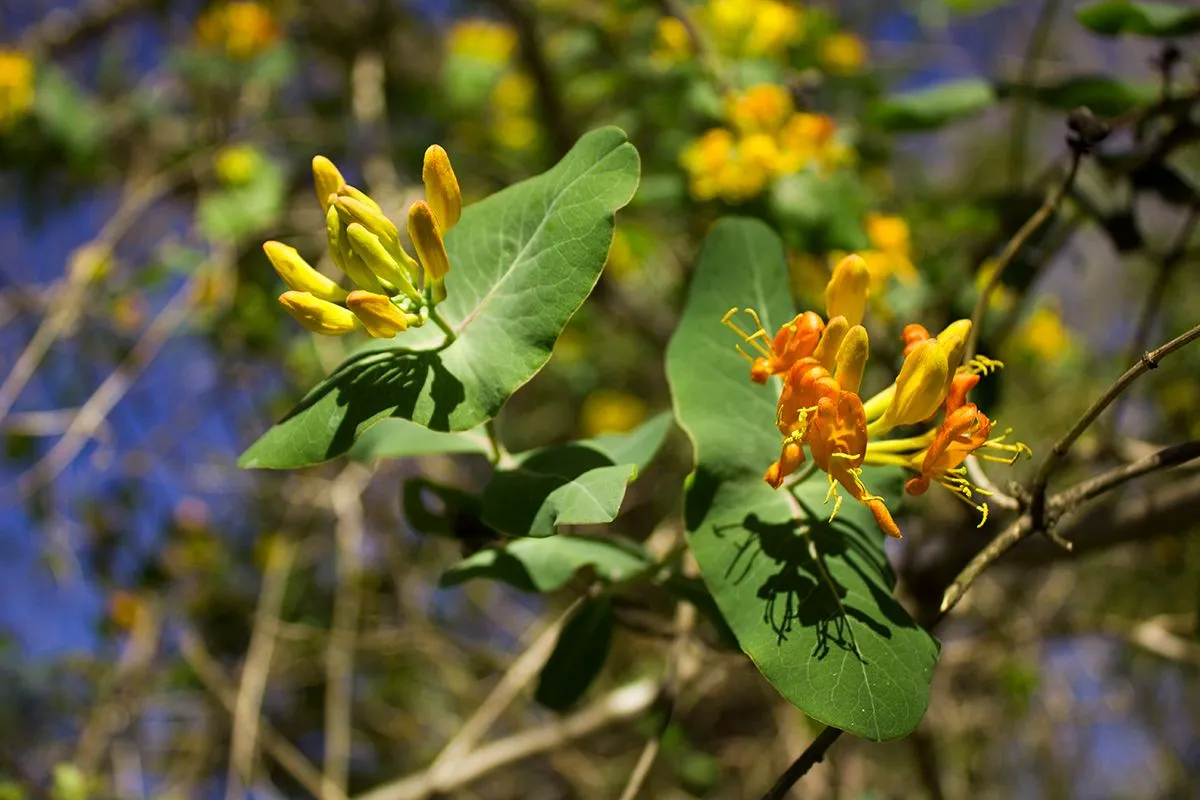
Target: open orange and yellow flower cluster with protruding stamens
823,360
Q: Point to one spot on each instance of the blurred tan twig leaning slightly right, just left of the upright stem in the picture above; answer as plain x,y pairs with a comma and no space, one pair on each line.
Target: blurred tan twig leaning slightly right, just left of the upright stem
244,742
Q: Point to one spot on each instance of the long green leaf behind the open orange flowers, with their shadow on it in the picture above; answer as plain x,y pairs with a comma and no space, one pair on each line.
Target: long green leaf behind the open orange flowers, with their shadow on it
809,601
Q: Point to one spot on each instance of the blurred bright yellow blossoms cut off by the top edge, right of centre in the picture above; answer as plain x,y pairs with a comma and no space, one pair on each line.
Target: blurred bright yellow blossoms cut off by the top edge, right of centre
739,29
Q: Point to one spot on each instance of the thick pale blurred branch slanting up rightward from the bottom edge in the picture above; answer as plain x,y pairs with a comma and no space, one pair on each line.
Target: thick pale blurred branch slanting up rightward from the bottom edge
626,703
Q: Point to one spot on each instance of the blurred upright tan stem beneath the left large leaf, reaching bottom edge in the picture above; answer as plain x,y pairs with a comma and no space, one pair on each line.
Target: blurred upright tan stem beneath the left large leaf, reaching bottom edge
346,501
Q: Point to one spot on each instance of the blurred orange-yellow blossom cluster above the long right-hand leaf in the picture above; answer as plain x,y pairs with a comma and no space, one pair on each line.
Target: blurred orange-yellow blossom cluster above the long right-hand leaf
767,137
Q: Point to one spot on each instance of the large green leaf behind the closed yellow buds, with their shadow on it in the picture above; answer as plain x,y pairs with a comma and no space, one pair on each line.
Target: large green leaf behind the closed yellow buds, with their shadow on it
524,261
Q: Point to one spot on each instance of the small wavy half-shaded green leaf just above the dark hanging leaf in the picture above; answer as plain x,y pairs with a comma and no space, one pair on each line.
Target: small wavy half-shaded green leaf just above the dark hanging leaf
548,564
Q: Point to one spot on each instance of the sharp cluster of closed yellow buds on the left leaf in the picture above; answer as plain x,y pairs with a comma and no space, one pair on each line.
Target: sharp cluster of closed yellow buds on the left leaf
395,292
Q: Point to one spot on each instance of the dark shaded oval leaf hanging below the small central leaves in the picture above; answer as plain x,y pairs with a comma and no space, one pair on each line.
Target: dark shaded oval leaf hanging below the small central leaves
579,657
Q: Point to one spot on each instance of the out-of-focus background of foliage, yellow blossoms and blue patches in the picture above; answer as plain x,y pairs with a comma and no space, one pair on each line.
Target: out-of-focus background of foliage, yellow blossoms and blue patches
148,148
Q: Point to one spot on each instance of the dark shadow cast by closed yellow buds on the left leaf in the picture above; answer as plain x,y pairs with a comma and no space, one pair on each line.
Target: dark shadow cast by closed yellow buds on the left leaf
386,383
